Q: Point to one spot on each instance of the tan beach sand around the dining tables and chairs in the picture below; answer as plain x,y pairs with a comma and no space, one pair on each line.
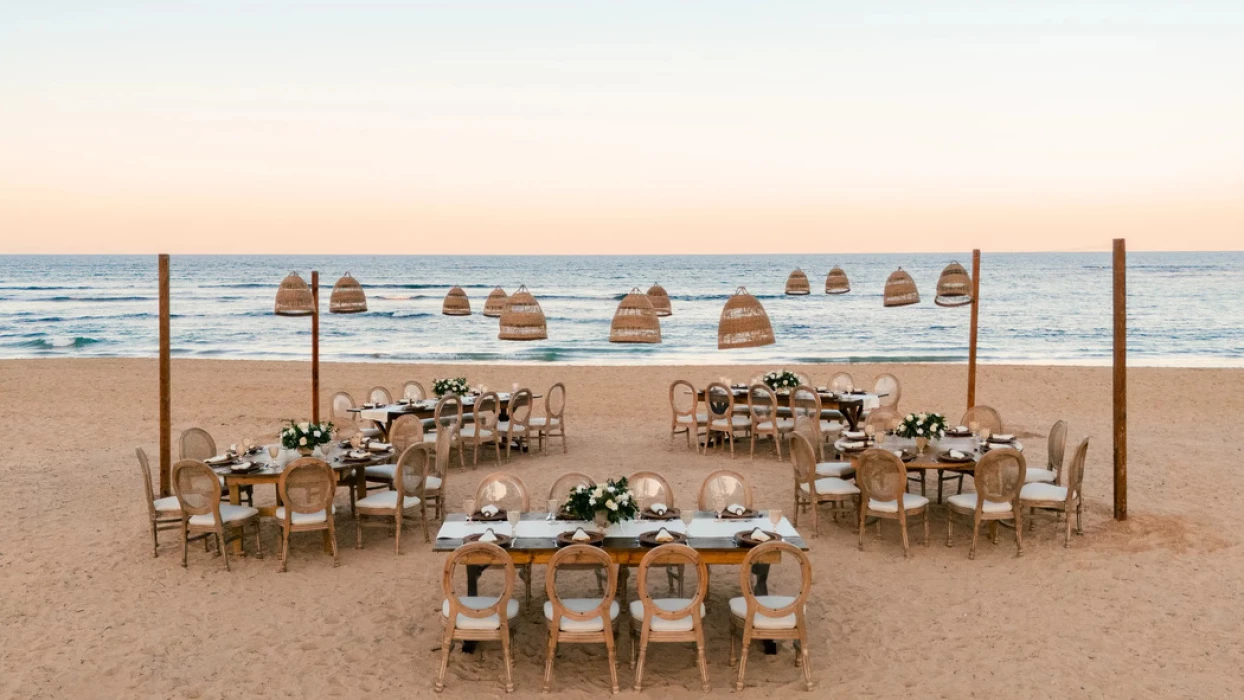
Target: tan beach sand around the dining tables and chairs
1143,609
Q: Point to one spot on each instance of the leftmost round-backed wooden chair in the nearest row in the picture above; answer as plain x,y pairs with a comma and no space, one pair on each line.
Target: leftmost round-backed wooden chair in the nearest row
478,619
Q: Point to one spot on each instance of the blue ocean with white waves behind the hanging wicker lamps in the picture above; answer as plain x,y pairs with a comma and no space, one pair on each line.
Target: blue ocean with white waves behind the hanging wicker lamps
1185,309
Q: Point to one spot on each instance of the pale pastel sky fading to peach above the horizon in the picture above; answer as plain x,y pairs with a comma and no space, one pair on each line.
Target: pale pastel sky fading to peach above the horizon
585,127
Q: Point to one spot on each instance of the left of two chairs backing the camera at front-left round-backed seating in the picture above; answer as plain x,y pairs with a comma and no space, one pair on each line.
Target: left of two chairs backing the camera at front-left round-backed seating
205,517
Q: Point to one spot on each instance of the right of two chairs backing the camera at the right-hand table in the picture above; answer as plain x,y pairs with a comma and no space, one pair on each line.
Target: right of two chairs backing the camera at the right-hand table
1000,478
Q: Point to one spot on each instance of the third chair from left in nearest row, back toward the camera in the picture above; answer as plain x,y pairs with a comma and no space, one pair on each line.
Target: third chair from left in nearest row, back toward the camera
669,620
